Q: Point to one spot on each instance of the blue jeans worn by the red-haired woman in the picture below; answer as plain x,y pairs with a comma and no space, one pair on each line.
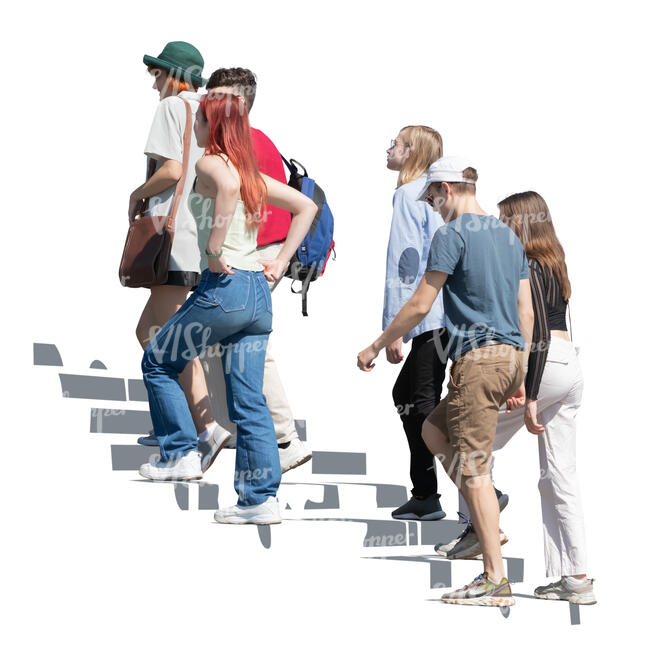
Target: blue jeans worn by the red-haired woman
236,311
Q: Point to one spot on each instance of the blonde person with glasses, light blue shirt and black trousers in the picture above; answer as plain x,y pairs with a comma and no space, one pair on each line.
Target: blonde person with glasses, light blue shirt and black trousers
419,384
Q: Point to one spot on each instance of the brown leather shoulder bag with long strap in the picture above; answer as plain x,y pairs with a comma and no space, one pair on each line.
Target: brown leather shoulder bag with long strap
148,246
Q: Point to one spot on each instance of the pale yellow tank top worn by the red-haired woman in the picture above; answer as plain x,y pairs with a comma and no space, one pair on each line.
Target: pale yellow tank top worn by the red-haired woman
240,245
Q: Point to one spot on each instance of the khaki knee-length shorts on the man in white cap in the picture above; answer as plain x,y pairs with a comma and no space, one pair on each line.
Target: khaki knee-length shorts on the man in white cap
480,381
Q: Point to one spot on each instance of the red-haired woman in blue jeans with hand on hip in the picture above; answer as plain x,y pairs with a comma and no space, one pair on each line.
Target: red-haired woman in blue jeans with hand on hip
231,306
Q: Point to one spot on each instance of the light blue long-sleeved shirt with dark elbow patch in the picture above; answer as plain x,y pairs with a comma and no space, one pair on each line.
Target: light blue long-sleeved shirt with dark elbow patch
412,229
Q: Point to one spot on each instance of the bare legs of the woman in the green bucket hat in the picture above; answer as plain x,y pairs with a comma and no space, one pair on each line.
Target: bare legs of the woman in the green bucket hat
163,303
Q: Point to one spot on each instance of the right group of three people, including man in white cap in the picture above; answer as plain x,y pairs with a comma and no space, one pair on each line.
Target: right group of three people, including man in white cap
491,295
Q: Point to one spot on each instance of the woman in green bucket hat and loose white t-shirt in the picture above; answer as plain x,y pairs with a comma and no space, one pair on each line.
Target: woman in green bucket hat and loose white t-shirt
177,71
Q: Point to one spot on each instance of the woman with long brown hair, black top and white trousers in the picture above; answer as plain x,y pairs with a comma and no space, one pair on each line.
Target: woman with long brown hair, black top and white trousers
550,398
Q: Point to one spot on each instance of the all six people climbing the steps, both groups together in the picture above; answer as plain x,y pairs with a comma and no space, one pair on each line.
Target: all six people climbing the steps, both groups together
489,294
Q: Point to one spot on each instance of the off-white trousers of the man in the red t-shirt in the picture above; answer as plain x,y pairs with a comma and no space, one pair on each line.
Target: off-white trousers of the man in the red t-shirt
276,398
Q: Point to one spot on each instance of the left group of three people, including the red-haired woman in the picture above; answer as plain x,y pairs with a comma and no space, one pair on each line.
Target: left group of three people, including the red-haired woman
234,236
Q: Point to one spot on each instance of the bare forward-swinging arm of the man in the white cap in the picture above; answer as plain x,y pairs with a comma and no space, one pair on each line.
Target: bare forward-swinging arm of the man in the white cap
418,306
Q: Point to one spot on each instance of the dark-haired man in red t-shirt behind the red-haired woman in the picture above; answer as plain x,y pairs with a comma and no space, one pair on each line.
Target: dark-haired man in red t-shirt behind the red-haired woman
270,237
